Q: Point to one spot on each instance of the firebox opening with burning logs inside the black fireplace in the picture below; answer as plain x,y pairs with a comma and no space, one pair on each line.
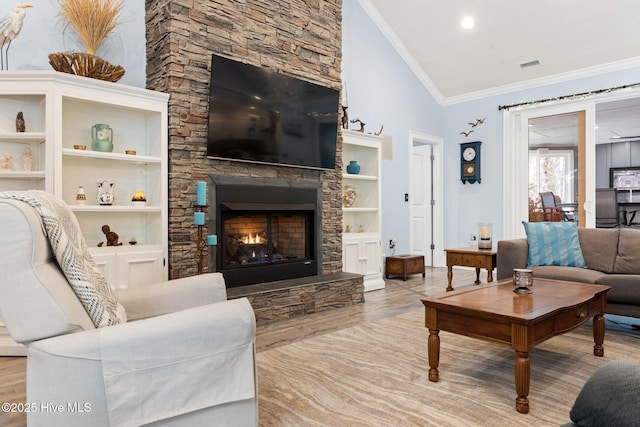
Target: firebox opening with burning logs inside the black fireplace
262,238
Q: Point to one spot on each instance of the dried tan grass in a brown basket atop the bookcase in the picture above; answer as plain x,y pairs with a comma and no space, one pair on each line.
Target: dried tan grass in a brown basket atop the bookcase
92,21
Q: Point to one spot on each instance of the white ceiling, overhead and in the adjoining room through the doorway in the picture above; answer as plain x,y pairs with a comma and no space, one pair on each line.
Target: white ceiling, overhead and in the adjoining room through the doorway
563,39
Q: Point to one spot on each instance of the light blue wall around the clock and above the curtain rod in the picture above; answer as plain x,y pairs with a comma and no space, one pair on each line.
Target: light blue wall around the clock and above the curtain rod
467,205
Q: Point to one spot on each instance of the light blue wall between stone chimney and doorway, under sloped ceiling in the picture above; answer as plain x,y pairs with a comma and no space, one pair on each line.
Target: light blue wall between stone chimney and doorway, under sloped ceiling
381,90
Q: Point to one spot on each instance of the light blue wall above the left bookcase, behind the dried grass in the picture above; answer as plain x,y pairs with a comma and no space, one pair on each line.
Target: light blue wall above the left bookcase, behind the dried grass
42,34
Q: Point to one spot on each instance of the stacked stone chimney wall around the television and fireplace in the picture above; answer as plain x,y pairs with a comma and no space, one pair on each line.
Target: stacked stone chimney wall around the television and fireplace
294,37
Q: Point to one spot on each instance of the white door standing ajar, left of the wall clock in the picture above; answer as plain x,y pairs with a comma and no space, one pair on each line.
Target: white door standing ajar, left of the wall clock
421,202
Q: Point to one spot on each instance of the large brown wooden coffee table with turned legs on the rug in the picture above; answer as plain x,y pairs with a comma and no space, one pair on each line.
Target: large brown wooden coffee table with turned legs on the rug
493,312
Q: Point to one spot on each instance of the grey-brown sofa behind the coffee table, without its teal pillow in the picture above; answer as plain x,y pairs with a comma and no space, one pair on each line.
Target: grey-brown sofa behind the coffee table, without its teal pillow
612,257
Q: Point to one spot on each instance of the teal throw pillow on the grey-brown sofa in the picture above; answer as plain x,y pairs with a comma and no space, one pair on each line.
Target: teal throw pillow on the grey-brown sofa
553,243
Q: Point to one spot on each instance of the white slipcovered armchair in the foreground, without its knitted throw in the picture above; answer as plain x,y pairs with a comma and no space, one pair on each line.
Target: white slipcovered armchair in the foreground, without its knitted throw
183,356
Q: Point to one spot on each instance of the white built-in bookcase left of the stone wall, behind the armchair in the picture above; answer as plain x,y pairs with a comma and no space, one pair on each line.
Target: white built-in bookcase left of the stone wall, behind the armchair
60,111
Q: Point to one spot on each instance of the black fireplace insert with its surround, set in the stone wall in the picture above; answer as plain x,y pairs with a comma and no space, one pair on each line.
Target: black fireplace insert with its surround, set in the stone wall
265,232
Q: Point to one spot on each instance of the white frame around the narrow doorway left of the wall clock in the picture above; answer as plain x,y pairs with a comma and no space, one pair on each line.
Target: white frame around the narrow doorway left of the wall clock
419,138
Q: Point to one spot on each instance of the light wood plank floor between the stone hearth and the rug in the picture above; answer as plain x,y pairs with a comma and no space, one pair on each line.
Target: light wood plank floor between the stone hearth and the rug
398,297
